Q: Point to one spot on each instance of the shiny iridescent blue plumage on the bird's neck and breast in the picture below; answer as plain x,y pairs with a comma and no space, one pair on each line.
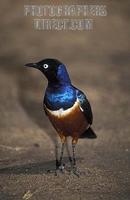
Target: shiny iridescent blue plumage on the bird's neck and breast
60,94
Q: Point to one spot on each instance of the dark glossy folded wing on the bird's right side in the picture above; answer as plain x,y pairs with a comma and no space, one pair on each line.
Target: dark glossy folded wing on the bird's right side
85,106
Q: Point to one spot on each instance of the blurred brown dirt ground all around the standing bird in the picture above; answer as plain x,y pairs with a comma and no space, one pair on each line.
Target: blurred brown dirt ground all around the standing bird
99,63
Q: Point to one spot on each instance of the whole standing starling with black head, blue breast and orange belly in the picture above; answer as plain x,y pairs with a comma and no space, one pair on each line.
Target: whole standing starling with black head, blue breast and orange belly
66,106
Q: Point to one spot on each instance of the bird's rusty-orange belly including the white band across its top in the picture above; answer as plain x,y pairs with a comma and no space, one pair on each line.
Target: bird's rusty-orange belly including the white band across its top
71,122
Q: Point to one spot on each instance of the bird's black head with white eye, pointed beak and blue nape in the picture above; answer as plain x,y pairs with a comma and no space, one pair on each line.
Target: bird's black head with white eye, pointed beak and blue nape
53,69
